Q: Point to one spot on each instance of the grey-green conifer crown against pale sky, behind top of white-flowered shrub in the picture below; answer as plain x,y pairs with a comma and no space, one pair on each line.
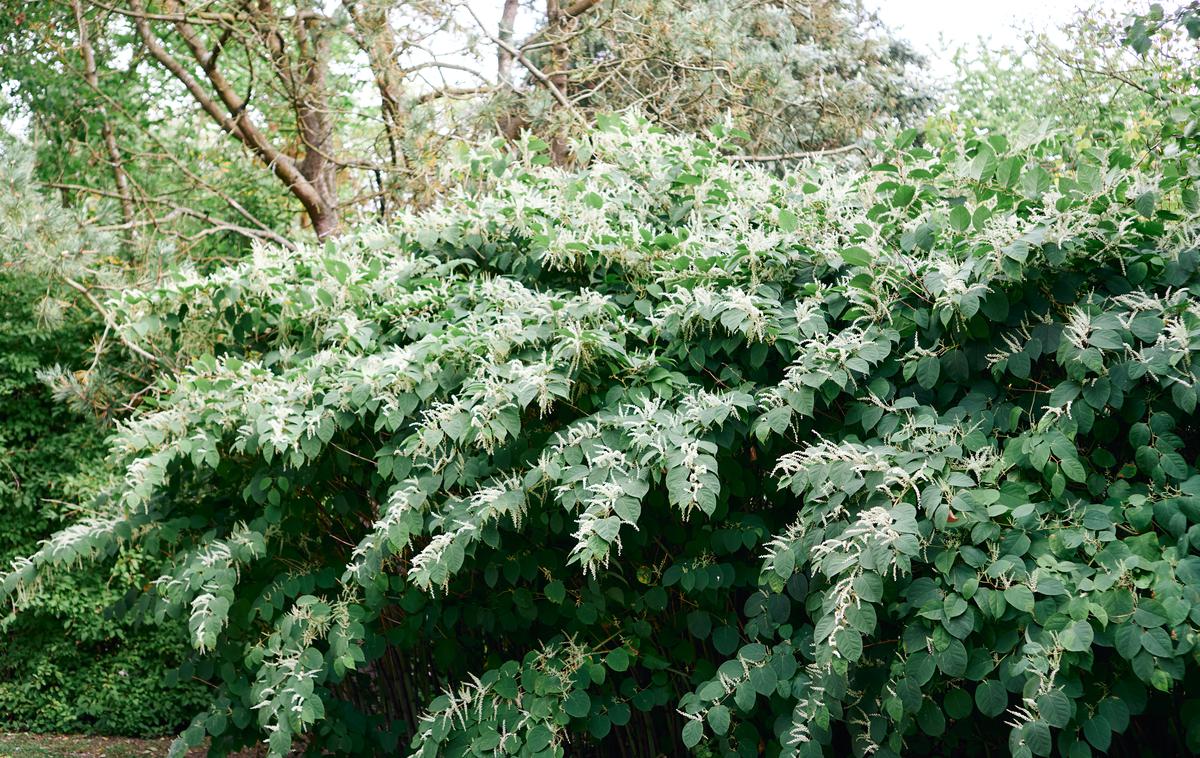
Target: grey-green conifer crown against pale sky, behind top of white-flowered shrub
793,77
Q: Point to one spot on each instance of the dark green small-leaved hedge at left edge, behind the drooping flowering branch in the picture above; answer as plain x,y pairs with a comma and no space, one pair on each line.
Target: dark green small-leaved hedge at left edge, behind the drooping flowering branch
65,665
